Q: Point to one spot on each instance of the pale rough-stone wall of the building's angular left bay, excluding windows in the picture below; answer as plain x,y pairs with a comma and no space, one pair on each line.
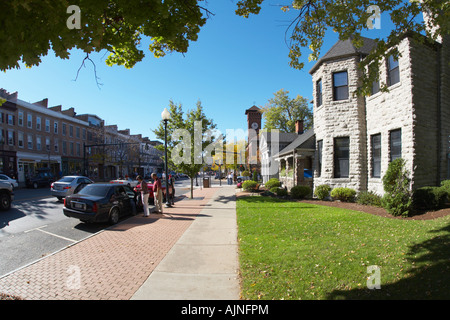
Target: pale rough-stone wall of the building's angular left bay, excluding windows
344,118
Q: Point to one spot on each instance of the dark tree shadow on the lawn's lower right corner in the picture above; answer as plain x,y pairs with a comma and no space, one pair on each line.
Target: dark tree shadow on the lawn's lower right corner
430,280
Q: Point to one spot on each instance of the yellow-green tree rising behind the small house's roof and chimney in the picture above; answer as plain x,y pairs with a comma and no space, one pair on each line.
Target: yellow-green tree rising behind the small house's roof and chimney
281,112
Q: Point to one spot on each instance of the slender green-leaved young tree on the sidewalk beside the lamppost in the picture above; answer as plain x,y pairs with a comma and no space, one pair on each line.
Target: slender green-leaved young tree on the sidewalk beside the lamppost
188,135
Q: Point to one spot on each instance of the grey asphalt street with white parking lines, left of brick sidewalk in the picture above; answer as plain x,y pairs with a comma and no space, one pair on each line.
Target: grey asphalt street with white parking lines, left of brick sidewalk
35,227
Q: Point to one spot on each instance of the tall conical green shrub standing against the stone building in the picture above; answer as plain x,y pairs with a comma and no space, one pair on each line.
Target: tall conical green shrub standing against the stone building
397,199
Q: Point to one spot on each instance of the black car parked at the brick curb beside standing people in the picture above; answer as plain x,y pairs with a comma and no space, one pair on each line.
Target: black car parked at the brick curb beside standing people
100,202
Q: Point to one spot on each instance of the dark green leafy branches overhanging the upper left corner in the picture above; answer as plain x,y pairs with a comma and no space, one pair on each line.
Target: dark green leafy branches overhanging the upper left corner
29,29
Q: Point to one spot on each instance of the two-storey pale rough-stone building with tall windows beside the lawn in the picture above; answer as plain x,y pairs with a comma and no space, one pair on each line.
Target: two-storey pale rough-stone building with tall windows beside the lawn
357,137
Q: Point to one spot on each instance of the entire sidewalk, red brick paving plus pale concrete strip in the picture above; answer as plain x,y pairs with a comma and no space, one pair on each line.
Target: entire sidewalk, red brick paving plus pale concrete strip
190,252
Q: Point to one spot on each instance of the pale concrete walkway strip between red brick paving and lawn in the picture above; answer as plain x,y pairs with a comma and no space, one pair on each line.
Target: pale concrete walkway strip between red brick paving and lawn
203,264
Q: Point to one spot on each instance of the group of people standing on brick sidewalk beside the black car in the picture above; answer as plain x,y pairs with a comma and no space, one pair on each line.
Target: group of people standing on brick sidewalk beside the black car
157,193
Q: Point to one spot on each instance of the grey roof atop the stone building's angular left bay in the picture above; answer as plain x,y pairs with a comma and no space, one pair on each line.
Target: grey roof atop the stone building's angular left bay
345,48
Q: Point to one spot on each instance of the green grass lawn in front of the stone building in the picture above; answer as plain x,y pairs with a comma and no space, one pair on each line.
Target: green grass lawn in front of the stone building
294,250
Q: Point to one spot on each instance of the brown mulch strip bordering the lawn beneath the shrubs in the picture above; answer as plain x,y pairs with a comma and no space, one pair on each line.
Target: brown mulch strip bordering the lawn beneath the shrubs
368,209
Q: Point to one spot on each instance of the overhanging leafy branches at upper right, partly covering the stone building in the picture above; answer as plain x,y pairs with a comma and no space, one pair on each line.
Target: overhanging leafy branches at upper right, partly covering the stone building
313,18
